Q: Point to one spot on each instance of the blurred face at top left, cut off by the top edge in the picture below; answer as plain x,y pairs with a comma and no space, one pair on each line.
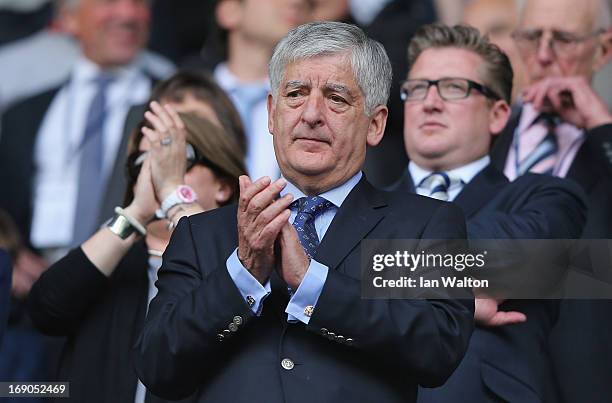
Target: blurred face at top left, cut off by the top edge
111,32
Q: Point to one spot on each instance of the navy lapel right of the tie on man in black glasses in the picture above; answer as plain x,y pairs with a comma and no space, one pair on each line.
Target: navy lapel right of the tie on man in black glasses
481,189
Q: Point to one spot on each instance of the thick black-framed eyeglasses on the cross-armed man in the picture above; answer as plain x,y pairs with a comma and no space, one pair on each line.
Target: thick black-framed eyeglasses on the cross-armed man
449,89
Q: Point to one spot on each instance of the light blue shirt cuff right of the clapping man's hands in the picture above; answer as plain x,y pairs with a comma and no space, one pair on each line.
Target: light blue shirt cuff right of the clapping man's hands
303,301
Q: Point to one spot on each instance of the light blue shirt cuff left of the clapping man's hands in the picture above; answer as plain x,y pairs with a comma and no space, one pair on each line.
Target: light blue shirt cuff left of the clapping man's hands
252,291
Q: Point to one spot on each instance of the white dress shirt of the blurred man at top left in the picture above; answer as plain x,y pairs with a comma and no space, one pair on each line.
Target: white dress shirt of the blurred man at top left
56,153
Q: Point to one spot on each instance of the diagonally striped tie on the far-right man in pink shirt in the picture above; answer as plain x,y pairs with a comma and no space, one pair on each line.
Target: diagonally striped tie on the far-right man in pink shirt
543,158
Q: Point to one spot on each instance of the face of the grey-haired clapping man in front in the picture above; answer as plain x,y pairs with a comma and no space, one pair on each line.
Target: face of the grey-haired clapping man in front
319,126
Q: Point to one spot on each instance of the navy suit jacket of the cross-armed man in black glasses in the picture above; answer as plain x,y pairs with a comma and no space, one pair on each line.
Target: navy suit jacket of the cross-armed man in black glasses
510,363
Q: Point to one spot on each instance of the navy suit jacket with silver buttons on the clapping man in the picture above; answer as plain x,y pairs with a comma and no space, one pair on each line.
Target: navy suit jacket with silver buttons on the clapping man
396,343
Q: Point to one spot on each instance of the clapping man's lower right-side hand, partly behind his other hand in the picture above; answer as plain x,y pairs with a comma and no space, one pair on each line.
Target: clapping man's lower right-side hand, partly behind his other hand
293,262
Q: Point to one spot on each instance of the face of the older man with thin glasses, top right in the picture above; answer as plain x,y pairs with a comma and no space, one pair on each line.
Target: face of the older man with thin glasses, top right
567,18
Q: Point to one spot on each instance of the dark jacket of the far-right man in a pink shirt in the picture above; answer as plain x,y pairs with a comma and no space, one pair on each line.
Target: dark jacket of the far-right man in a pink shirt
581,348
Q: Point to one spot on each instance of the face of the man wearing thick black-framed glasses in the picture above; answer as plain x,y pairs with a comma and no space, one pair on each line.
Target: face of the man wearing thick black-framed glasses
443,135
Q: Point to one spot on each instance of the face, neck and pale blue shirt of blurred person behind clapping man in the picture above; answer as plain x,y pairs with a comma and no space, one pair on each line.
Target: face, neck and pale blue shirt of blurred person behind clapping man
248,30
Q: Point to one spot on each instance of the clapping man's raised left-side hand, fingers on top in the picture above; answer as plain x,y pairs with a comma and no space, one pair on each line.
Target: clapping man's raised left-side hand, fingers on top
261,216
